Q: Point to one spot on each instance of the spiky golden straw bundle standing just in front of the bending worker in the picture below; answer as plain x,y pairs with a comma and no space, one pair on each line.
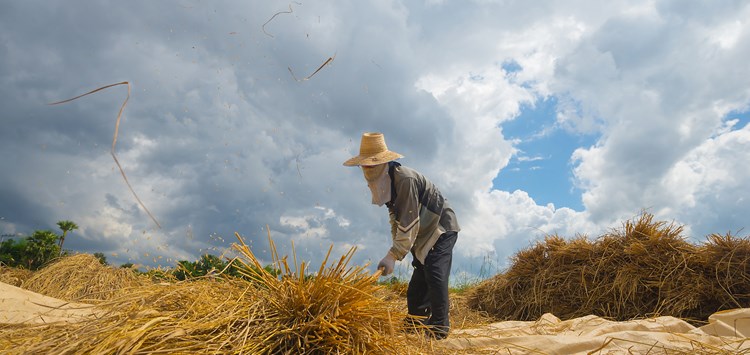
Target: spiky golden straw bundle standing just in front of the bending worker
334,311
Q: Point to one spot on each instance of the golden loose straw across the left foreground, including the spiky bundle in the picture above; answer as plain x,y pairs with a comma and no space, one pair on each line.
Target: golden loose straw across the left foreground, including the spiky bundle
339,310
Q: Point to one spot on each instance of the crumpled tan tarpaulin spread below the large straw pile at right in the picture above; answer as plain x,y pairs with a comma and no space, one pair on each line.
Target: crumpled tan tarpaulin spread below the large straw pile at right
726,332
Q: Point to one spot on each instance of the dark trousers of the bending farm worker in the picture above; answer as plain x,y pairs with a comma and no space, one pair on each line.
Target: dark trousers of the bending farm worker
427,295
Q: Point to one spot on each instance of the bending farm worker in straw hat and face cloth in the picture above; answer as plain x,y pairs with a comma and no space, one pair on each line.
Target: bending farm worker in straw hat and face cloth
422,223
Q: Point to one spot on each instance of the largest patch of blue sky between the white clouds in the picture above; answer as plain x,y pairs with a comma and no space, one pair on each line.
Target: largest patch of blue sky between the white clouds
542,164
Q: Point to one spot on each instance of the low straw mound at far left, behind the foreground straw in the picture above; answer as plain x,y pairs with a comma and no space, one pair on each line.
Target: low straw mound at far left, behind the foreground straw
83,278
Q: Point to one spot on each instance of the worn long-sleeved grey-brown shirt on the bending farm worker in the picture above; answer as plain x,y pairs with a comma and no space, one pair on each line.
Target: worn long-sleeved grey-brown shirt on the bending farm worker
419,213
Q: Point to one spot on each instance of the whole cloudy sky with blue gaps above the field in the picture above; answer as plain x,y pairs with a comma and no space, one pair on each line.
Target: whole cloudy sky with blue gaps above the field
532,118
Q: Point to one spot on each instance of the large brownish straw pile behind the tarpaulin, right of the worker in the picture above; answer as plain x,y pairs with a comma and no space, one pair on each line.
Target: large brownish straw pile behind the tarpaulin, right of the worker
645,269
